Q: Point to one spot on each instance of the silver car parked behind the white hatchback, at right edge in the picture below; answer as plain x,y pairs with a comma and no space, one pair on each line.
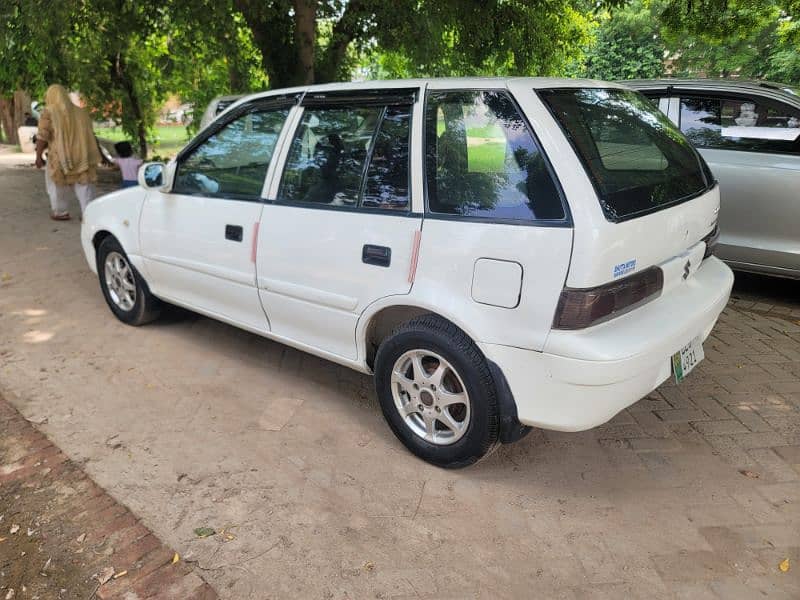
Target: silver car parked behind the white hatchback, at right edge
749,133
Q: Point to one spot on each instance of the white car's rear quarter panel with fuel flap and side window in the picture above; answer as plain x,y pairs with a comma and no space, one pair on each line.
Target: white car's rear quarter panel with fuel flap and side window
497,236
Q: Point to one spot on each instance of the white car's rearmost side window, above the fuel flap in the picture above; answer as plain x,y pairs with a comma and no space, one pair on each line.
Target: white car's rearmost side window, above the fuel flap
483,161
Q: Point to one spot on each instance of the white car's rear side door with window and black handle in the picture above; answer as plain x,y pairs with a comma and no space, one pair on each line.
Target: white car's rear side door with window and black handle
338,231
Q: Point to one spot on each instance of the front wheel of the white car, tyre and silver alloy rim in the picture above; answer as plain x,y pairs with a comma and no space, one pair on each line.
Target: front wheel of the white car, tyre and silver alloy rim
124,289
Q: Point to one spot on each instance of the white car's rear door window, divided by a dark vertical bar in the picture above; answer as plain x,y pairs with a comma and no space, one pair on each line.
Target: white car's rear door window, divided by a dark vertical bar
350,157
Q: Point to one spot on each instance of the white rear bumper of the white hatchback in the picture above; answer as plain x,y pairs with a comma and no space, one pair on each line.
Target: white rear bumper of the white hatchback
583,378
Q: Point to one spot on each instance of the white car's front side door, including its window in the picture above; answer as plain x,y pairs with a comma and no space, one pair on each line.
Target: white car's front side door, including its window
198,239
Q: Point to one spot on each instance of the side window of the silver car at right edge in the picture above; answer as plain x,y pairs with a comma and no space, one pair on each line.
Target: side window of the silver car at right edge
753,124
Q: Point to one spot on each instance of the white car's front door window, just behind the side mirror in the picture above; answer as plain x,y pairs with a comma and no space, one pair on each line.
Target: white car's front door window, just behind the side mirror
233,161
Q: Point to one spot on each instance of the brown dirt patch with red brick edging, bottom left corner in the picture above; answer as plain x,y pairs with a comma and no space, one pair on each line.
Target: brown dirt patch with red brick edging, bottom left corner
73,532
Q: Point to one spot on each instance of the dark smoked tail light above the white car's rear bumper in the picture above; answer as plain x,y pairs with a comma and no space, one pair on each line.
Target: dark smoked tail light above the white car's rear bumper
580,308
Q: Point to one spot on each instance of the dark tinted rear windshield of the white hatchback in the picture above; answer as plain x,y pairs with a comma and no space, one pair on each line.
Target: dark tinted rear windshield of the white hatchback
637,159
